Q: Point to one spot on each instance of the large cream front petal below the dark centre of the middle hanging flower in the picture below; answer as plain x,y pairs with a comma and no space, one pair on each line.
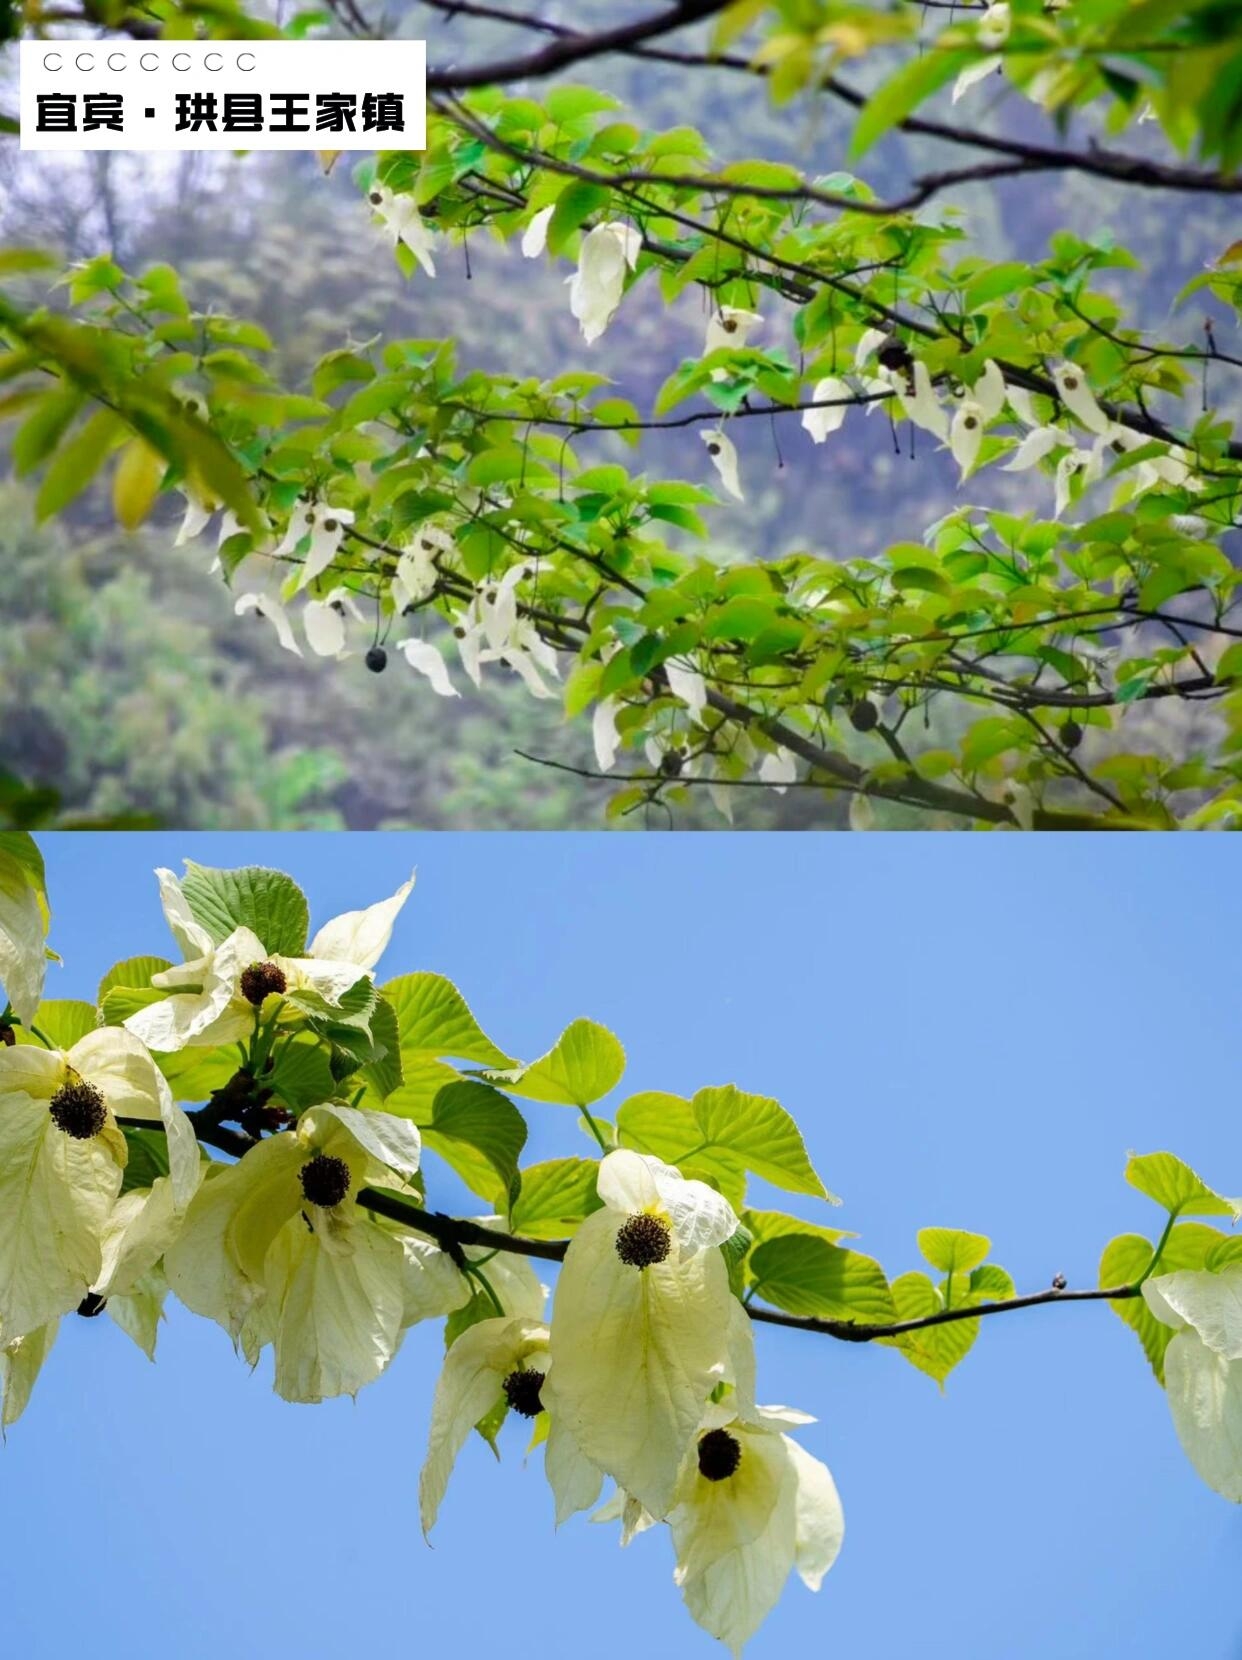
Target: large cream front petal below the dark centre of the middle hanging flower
635,1355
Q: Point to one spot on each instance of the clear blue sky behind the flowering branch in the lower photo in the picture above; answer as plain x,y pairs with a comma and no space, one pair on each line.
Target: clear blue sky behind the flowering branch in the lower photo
972,1032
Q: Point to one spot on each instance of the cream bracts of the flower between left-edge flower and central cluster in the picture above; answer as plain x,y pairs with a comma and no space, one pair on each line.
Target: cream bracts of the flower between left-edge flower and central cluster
278,1251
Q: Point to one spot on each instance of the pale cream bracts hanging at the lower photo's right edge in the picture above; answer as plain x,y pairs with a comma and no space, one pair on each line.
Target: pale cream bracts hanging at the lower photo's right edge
1203,1369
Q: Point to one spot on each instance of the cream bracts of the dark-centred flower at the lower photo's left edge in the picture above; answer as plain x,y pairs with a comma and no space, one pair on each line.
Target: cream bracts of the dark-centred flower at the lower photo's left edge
62,1160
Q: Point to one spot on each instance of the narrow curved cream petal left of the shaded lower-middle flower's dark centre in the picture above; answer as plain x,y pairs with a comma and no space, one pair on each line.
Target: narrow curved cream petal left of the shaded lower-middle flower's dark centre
471,1385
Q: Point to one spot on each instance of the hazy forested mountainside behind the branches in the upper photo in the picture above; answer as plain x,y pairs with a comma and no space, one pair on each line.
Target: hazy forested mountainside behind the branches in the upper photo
129,686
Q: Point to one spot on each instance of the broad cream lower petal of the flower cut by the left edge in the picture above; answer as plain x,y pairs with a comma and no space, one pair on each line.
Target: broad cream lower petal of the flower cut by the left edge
56,1198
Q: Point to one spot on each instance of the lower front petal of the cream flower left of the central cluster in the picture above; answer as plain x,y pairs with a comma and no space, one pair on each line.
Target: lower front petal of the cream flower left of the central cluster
338,1311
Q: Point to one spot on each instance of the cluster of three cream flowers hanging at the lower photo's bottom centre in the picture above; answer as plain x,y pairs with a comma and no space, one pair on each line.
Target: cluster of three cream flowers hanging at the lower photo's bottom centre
647,1375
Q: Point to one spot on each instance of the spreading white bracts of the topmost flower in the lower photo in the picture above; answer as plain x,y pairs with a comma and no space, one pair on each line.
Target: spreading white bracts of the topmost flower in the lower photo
212,1008
